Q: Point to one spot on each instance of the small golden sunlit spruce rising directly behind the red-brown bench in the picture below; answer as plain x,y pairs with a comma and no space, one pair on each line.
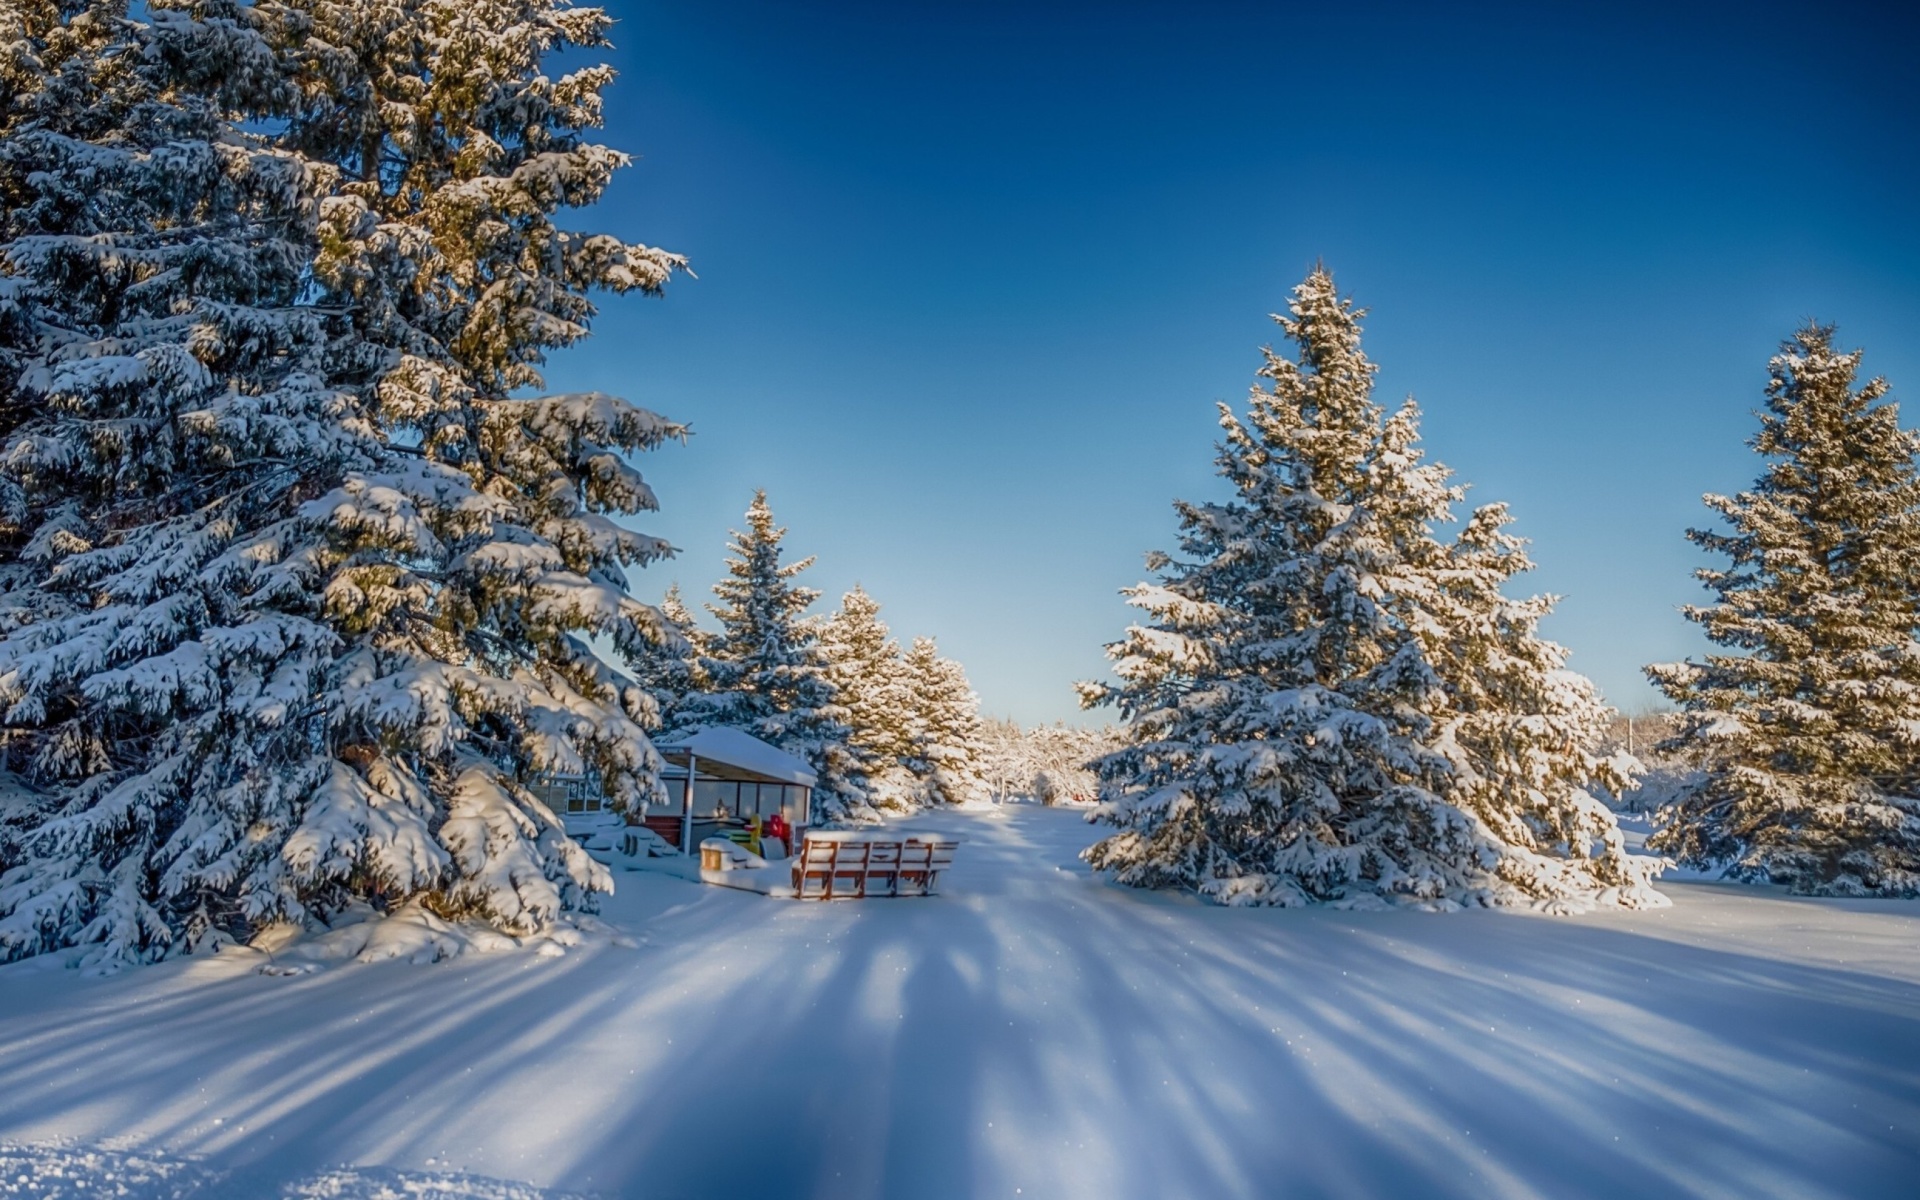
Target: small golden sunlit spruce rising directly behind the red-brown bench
871,681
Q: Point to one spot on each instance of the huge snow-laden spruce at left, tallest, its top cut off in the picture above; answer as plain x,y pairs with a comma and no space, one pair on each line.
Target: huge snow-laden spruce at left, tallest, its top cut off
327,575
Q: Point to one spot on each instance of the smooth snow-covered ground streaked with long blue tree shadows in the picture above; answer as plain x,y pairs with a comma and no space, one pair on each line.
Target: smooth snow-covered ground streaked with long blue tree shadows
1030,1034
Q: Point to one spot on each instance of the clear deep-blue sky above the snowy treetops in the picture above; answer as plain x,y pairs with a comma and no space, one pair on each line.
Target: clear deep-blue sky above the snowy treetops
972,277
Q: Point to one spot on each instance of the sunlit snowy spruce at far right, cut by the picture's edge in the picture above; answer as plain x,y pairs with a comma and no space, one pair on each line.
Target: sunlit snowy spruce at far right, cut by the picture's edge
1810,731
